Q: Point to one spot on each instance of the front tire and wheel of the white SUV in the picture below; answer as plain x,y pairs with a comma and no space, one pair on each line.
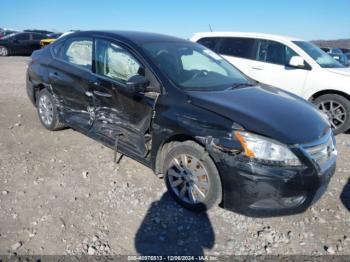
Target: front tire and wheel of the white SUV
339,117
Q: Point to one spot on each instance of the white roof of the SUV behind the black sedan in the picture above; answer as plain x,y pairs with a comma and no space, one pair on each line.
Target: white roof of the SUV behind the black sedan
246,34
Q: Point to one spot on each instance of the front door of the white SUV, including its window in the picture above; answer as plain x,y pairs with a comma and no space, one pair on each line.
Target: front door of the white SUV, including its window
271,67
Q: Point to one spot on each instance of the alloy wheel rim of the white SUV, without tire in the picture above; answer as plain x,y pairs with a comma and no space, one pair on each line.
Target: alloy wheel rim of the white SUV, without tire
335,112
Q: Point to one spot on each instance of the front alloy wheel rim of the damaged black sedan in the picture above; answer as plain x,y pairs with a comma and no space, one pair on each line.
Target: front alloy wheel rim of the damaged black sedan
188,178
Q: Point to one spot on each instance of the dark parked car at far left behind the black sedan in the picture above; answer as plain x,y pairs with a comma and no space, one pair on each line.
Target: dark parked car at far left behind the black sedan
20,43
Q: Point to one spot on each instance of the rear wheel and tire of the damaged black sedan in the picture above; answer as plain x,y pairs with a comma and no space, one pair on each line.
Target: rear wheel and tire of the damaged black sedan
47,111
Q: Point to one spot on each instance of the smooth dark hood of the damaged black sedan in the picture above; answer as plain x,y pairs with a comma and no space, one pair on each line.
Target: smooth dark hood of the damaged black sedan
267,111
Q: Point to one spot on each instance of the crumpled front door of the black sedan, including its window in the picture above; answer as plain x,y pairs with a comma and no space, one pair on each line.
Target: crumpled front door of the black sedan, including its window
120,113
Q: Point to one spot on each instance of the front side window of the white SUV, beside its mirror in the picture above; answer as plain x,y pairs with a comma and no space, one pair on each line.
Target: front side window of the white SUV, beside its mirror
274,52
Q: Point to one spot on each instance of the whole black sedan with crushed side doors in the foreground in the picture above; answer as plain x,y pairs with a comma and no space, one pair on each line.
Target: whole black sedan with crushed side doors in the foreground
215,135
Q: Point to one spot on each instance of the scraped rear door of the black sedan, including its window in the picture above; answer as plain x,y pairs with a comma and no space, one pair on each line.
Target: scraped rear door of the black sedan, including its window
70,74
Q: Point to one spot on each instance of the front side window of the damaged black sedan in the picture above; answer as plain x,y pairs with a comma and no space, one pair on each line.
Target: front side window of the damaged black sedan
115,62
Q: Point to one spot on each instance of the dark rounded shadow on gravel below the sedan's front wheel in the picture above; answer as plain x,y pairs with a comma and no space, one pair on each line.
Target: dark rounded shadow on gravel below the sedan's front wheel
168,229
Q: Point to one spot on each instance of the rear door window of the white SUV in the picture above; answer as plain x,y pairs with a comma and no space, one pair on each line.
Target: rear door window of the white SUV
238,47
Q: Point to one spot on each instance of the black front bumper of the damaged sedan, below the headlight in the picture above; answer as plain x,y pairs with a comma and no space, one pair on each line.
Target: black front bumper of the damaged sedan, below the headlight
260,190
